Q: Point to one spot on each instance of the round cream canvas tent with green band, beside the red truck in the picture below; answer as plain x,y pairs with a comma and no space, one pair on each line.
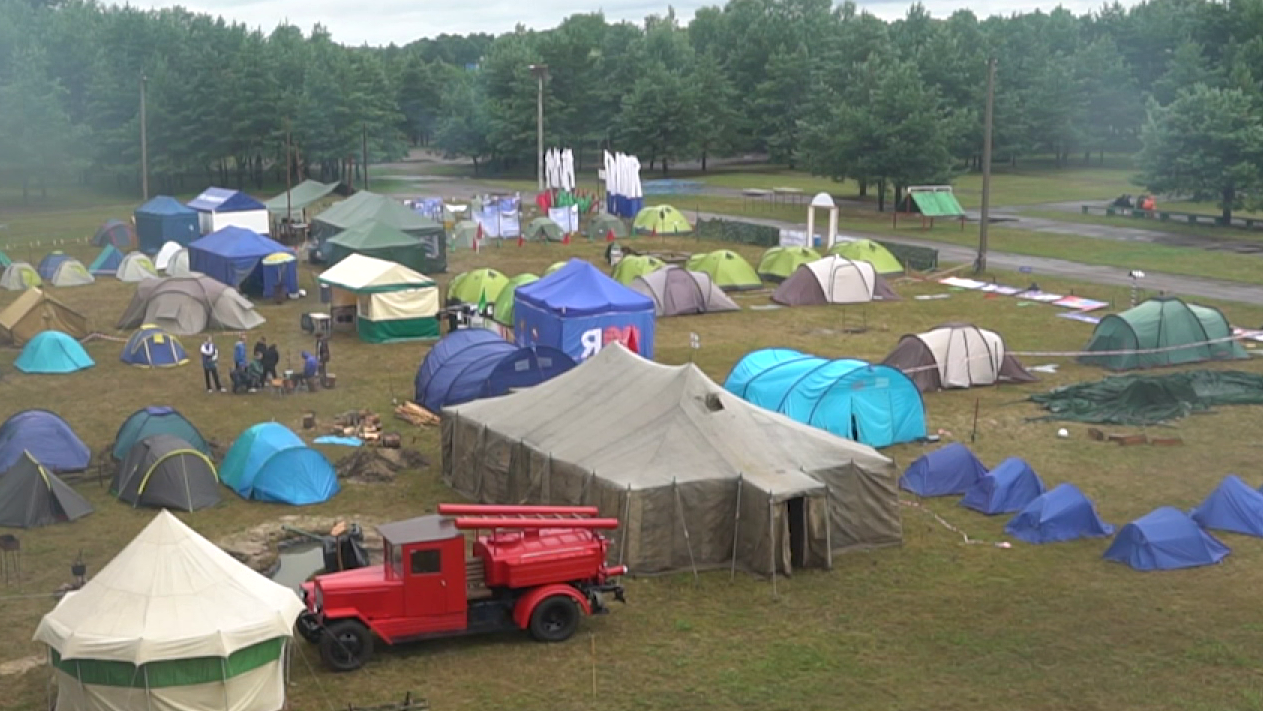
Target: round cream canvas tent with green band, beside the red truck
172,623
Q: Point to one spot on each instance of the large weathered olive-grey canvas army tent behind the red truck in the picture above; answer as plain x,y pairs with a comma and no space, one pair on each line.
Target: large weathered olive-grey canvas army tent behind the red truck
697,477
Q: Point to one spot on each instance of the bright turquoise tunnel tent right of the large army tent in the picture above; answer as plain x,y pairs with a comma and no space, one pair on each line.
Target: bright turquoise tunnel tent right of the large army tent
873,405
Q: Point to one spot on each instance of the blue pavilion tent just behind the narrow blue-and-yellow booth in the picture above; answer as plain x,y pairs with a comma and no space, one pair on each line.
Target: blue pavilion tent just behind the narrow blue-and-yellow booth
234,257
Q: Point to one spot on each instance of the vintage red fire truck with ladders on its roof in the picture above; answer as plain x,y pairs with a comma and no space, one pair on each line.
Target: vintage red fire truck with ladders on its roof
537,569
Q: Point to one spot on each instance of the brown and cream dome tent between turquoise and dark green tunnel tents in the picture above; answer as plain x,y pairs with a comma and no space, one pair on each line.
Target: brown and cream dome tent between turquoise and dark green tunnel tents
957,355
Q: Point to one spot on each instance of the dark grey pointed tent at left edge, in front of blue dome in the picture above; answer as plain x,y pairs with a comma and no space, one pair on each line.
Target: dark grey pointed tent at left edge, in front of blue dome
31,497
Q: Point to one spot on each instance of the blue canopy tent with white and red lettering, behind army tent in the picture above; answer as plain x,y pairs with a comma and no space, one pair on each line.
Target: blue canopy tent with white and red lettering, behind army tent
579,310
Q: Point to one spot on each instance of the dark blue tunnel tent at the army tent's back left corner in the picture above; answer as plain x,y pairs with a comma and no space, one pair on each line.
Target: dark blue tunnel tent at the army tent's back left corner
467,367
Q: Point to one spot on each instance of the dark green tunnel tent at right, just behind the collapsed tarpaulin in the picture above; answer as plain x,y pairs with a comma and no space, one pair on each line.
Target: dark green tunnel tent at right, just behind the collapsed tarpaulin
1164,325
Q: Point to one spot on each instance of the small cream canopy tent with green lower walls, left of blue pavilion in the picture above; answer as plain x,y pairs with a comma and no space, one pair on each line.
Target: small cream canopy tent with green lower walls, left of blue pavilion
392,302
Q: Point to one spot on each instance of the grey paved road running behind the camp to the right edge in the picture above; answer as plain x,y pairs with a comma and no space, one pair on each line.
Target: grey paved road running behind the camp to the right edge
1062,268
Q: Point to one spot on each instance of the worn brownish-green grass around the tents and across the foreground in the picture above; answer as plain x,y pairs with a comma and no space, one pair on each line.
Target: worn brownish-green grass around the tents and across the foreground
933,624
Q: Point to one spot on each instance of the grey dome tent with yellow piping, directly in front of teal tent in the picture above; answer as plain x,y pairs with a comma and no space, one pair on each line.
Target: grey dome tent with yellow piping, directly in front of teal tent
166,472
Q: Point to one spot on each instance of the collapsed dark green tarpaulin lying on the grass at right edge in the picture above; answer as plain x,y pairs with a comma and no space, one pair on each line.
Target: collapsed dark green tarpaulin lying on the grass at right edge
1150,400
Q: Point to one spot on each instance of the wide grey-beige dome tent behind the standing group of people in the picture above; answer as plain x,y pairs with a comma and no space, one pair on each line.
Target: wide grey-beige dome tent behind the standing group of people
189,305
